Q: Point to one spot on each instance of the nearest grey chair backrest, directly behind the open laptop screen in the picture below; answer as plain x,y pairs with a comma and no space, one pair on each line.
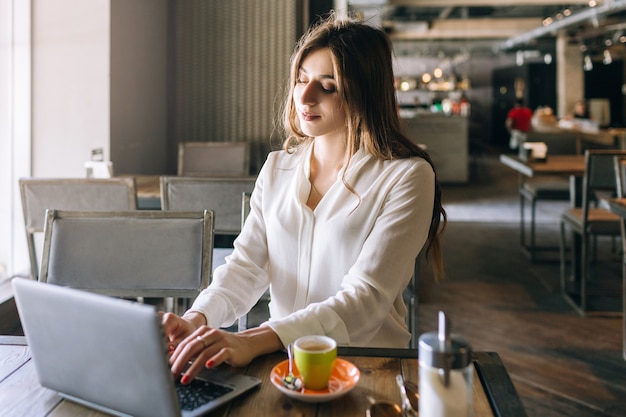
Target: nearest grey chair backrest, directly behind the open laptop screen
139,253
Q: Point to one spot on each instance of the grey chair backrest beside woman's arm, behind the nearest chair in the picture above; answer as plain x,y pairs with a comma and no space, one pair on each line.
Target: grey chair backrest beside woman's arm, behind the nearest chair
221,195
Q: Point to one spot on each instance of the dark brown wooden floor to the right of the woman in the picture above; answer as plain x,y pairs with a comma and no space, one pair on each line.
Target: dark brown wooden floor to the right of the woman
561,364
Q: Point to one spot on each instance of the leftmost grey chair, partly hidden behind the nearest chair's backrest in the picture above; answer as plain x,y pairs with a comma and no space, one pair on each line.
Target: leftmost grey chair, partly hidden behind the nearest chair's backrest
39,194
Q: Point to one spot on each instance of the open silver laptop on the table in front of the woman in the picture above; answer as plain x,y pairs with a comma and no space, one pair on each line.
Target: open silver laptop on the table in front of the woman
111,354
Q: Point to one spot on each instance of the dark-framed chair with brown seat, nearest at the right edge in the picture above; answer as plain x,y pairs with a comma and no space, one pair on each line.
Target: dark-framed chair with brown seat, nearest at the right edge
586,222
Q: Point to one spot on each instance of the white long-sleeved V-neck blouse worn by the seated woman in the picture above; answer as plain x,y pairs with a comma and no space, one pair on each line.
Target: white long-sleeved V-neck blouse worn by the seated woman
338,270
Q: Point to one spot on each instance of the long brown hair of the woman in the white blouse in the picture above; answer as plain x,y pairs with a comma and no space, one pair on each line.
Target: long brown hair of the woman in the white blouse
362,61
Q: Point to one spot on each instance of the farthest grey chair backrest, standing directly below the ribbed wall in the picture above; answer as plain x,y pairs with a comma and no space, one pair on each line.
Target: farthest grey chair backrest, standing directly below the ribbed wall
214,159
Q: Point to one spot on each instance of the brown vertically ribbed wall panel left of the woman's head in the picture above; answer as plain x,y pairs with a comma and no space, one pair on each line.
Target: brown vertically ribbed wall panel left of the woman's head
231,66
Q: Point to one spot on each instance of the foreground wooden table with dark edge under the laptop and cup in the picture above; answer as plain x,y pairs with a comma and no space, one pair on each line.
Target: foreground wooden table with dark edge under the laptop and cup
494,394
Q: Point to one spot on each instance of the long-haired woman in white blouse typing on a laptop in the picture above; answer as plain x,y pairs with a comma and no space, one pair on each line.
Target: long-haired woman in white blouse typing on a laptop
337,218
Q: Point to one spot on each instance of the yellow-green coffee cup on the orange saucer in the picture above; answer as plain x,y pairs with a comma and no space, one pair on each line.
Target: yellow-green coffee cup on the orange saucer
315,358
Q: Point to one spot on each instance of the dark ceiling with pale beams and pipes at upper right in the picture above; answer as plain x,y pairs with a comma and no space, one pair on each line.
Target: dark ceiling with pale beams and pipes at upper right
445,23
